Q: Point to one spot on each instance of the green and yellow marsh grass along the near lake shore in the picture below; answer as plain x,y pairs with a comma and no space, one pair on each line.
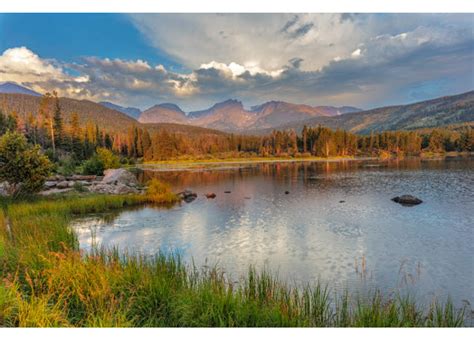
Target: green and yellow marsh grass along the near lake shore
48,282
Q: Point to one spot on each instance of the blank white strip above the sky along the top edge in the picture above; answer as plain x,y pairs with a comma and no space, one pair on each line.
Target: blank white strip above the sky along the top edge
229,6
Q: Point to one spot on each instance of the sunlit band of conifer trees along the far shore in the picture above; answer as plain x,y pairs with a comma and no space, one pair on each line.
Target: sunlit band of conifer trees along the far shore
60,138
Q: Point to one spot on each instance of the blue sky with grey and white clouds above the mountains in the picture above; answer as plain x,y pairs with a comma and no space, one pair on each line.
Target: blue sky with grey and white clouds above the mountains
196,60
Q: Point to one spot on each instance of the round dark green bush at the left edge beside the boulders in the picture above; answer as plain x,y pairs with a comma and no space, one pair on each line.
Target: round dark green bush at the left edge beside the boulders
22,165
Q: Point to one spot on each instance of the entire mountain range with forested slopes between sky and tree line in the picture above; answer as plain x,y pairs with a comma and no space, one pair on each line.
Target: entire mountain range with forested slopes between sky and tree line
231,116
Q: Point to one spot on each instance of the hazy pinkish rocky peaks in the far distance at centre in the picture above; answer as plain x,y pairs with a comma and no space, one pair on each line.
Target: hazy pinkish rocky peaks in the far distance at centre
230,115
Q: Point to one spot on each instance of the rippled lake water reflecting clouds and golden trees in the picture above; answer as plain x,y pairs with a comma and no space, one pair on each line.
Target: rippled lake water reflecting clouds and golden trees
337,224
